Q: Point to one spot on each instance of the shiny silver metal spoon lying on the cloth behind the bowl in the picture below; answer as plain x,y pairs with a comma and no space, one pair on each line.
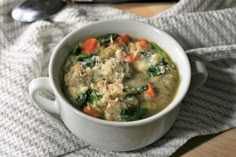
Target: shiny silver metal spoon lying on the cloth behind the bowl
33,10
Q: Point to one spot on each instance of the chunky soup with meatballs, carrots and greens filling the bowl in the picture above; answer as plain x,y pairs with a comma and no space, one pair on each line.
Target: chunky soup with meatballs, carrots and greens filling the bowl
117,78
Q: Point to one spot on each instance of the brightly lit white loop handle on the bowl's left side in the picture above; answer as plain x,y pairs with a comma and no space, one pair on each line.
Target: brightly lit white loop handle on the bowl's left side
40,84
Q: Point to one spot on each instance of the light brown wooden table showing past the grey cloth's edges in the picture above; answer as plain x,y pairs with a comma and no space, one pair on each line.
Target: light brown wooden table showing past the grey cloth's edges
220,145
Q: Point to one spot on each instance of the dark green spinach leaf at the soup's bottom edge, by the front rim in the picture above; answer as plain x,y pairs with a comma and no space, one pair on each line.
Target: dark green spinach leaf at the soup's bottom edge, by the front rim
132,113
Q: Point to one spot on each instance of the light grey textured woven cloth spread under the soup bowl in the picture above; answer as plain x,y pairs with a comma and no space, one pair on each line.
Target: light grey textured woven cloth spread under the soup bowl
205,28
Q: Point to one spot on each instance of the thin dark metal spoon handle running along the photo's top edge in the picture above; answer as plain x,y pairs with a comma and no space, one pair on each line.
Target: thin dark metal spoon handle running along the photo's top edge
118,1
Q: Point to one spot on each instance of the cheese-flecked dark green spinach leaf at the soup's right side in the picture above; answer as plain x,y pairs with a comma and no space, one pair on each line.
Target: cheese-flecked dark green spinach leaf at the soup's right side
158,69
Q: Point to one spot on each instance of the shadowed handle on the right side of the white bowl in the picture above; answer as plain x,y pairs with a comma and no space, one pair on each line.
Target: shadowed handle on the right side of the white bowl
199,73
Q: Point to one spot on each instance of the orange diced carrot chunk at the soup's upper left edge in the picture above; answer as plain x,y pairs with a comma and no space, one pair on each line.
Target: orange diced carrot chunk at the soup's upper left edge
89,45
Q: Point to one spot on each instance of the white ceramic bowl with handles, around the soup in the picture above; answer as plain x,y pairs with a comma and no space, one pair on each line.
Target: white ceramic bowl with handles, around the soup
115,136
